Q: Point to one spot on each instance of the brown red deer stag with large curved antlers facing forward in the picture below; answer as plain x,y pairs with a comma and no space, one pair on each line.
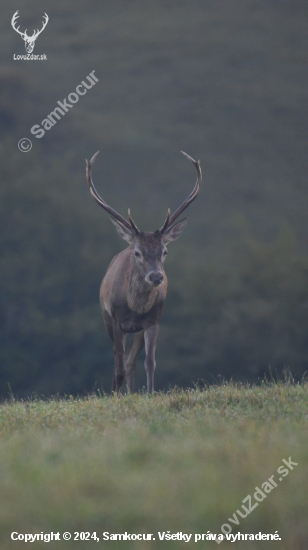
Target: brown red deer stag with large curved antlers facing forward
134,288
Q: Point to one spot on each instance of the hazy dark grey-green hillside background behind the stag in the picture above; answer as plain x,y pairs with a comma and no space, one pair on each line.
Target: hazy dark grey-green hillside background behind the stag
224,81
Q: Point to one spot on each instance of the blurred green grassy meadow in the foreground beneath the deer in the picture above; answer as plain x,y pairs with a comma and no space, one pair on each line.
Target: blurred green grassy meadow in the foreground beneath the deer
178,461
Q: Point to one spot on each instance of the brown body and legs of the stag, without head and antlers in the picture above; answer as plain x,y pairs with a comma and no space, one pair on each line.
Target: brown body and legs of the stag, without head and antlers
131,305
